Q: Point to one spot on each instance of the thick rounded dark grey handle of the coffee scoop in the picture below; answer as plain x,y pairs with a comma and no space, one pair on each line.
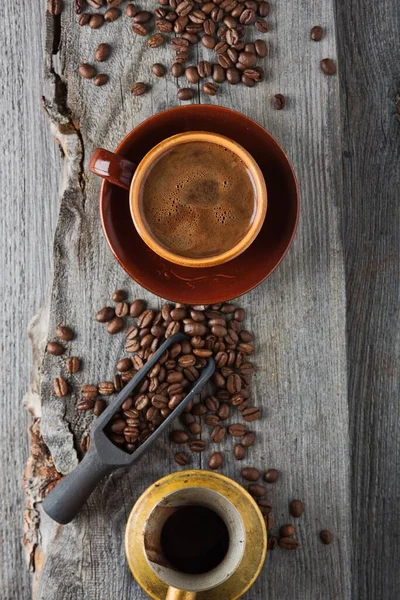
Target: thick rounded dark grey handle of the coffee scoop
67,498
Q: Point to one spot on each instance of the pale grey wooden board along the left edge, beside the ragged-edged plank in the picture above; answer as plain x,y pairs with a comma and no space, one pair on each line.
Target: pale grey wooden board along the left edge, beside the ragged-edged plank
29,175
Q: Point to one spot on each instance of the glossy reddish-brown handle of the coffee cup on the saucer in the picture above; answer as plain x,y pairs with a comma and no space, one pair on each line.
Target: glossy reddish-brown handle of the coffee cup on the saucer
112,167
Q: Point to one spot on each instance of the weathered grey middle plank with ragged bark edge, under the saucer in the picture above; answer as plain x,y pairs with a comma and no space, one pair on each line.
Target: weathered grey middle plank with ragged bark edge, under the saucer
298,316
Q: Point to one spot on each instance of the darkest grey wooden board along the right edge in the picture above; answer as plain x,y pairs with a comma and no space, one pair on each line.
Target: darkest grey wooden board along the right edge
371,217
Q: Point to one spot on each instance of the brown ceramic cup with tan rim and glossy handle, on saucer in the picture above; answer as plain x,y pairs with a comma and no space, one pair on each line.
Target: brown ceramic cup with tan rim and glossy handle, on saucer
119,171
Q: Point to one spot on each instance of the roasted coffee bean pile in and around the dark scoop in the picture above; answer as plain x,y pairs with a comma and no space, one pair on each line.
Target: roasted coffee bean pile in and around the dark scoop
215,330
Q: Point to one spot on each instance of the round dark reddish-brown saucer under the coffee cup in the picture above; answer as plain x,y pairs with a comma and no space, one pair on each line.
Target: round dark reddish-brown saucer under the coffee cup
231,279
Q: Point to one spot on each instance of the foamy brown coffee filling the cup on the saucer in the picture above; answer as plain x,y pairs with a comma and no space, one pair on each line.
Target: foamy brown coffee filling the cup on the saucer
198,199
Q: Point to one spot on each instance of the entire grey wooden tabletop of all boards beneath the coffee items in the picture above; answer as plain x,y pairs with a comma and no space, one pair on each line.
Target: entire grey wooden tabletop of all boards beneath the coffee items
326,322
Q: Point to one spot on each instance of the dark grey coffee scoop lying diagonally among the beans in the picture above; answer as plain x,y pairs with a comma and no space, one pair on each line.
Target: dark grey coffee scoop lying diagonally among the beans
103,456
